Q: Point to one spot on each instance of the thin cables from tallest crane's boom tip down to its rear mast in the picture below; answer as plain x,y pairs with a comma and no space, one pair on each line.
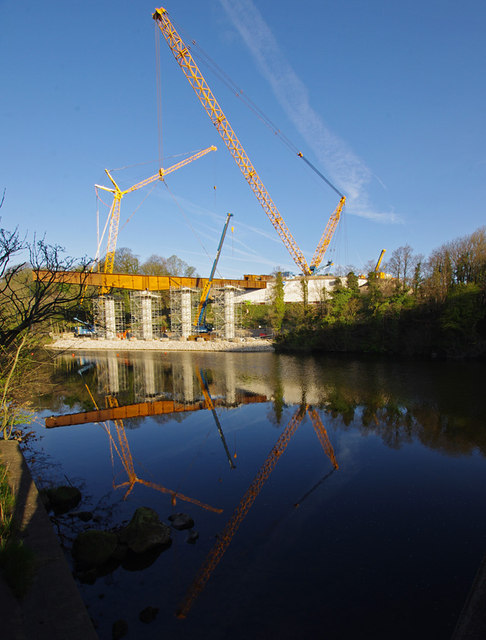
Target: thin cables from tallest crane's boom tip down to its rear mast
202,57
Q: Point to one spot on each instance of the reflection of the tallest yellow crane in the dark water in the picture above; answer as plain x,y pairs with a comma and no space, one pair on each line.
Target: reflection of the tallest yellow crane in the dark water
224,539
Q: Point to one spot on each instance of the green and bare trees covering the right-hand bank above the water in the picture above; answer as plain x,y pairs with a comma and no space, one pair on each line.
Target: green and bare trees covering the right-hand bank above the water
424,307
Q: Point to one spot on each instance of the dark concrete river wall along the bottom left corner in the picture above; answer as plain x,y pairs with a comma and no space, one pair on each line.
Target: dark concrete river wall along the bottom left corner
52,608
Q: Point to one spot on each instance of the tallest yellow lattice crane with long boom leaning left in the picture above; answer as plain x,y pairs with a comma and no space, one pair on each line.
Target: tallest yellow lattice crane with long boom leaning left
219,120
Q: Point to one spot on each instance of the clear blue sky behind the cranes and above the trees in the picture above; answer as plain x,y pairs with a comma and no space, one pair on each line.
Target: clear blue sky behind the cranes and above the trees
387,99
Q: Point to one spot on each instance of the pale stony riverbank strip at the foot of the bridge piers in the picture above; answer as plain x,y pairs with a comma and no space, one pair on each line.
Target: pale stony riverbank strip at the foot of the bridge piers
70,343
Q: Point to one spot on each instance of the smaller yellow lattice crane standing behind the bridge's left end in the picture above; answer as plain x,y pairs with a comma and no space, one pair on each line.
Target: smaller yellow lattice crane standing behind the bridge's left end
114,216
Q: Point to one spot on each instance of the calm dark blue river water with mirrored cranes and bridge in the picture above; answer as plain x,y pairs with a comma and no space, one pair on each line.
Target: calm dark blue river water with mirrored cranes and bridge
332,497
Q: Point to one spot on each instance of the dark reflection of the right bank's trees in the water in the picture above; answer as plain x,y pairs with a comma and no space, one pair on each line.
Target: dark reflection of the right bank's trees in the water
437,403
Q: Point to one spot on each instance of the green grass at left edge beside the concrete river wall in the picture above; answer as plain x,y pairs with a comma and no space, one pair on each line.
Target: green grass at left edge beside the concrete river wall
17,561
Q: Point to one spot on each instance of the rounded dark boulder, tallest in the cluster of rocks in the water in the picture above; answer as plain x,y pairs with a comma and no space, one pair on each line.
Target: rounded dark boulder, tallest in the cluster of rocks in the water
144,531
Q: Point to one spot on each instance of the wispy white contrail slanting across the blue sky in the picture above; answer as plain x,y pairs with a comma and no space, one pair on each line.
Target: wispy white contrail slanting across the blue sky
340,162
